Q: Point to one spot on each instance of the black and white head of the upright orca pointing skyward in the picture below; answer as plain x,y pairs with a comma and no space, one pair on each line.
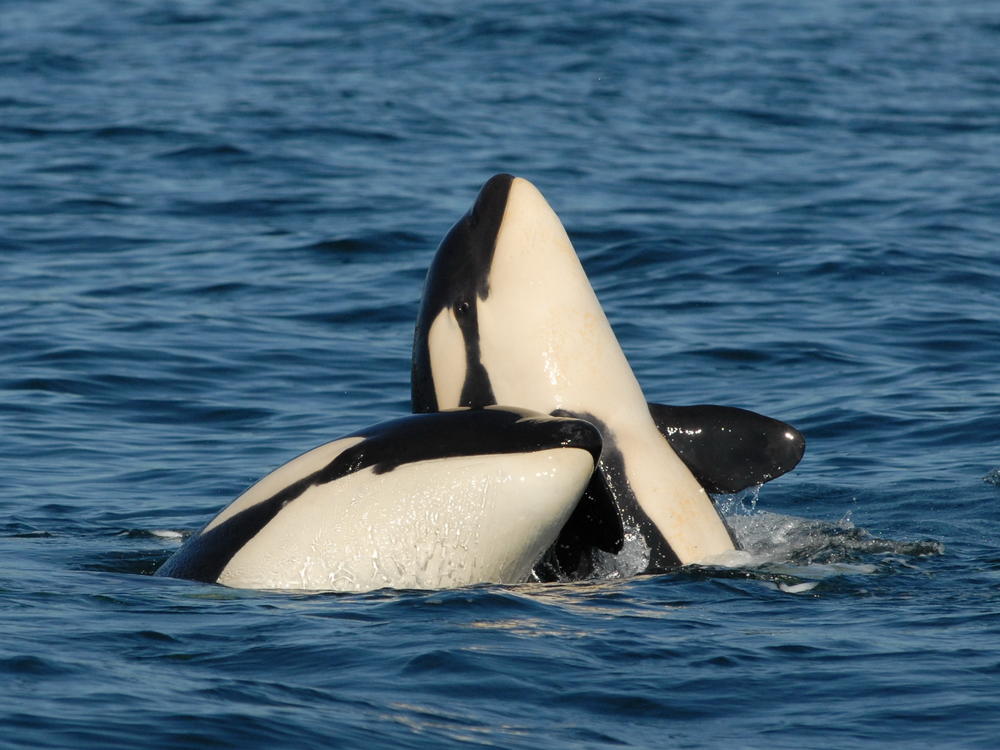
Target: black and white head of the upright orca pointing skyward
505,308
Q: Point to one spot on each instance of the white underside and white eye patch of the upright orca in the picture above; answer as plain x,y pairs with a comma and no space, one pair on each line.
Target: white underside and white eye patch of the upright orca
546,345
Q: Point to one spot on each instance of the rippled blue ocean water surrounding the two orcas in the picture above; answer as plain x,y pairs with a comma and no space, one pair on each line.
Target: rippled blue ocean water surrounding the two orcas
215,220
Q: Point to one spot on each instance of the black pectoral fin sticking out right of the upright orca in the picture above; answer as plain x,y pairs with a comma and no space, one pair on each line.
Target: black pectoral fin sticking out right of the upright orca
726,448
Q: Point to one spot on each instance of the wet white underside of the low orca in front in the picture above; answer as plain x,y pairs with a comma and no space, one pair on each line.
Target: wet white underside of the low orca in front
427,525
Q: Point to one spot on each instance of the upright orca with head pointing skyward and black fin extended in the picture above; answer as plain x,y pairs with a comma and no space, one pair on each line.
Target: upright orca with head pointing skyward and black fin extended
509,316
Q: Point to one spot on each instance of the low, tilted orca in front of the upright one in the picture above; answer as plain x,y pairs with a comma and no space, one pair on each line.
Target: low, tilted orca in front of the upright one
425,501
